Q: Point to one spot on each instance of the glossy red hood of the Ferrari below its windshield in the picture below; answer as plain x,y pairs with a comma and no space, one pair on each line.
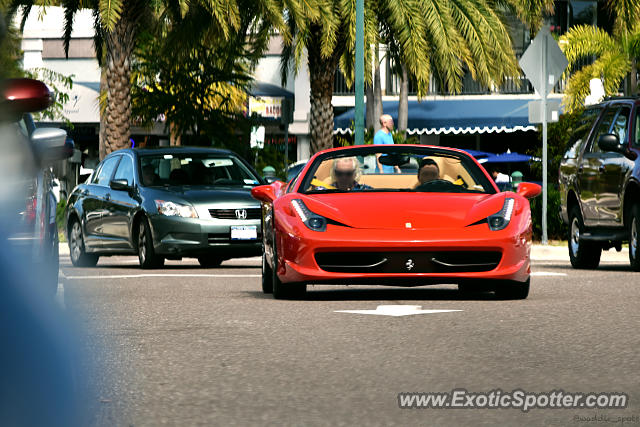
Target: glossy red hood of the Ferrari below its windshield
396,210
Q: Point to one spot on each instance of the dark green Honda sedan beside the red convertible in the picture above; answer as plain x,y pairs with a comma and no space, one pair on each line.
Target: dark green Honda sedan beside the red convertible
166,203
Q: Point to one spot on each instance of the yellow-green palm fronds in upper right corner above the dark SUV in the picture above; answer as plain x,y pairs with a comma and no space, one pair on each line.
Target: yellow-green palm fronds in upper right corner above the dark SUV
615,55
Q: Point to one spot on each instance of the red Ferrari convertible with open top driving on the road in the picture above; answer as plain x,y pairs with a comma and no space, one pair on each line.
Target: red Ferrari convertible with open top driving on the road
406,215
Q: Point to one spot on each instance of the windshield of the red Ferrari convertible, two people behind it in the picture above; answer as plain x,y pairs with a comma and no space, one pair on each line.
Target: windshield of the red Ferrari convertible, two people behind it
395,168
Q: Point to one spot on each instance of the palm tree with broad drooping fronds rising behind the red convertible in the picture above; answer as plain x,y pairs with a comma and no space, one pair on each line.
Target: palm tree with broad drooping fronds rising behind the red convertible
439,37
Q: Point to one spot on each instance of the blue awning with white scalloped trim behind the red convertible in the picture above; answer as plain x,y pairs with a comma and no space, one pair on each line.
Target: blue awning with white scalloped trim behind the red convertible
456,116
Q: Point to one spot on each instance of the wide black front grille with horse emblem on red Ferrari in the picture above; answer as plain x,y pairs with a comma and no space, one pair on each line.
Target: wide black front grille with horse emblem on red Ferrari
408,262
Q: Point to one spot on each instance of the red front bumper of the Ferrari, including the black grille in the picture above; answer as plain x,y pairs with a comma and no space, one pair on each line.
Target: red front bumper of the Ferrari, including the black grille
409,257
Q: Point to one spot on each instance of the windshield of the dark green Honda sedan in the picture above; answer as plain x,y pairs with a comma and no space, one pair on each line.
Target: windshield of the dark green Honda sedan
195,169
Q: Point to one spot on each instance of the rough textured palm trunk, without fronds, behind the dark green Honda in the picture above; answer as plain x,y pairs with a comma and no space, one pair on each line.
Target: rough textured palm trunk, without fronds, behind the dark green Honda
120,45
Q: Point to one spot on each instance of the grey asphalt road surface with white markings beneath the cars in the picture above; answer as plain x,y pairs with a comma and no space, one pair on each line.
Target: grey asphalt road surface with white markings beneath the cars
190,346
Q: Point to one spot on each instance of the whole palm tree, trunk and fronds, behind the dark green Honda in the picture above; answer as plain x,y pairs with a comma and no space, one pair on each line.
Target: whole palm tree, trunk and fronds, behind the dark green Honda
117,25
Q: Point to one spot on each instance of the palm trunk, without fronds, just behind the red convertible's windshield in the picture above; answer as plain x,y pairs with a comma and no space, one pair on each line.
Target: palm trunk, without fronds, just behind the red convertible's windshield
321,75
